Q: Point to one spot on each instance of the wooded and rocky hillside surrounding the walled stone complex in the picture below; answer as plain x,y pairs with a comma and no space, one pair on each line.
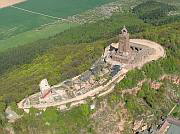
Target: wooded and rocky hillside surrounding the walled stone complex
114,113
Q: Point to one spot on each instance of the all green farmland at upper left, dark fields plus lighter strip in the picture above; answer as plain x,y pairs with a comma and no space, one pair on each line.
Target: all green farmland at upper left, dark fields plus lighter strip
19,27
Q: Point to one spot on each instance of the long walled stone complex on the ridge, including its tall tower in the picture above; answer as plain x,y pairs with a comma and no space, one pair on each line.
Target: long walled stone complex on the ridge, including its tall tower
101,78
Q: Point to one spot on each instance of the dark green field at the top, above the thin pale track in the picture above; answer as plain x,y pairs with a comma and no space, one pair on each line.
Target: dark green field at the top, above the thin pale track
61,8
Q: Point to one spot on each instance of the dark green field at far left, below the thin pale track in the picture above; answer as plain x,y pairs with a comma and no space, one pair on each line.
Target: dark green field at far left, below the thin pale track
14,21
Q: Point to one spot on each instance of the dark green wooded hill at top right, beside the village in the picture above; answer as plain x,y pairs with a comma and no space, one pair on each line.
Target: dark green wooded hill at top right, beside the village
156,13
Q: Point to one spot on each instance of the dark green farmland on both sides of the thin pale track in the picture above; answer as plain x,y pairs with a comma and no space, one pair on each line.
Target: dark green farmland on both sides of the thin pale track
15,21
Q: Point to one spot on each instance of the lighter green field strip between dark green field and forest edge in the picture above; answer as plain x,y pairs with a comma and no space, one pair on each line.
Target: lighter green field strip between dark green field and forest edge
34,35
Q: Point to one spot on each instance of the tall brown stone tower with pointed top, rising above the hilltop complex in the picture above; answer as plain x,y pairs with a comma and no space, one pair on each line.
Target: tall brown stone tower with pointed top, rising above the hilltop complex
123,47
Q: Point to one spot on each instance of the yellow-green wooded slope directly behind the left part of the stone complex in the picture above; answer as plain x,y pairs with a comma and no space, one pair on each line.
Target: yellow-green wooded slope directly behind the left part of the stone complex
57,65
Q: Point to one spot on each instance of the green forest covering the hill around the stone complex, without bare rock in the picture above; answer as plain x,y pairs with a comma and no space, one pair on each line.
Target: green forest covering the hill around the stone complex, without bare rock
73,51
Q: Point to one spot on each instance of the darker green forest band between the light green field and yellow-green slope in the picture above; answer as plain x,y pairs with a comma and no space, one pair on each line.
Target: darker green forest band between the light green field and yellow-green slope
82,34
